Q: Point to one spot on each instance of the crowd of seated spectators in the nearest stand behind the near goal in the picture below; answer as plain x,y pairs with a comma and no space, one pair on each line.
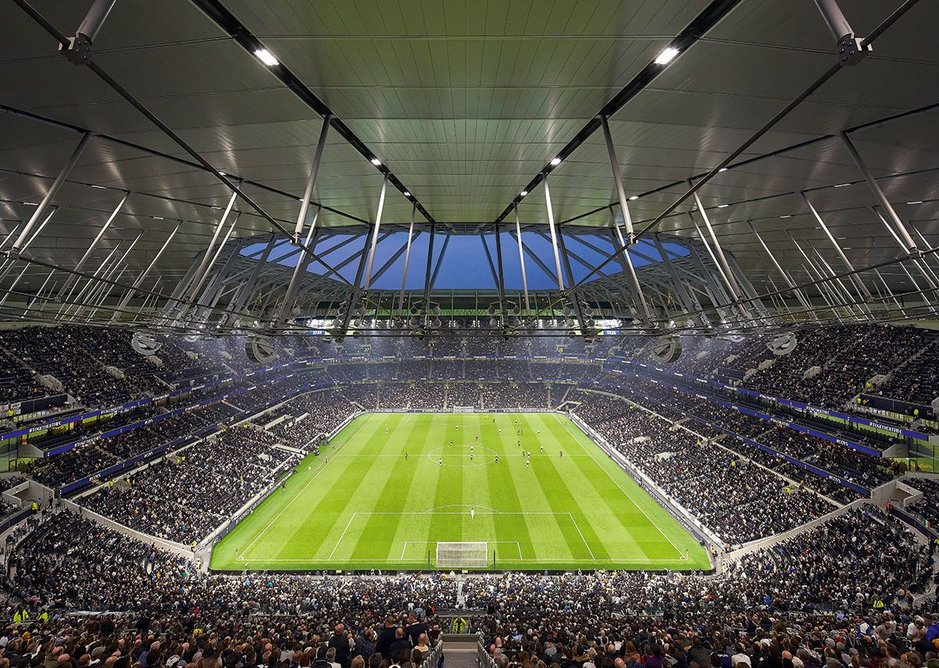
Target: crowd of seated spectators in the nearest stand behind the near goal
841,594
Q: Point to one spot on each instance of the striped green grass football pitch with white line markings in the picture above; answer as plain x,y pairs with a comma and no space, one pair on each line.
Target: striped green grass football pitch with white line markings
363,505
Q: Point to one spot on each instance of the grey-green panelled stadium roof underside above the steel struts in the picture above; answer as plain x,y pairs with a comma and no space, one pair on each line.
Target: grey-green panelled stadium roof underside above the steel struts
465,105
